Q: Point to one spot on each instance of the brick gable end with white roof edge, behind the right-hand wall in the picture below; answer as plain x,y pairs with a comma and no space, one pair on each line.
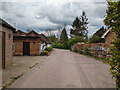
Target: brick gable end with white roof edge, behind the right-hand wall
109,36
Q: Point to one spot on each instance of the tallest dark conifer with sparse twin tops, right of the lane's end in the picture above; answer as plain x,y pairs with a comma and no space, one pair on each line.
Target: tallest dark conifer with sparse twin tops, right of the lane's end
80,26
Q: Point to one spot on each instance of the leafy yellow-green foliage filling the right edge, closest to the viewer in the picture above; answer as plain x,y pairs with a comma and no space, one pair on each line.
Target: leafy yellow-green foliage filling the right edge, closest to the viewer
112,20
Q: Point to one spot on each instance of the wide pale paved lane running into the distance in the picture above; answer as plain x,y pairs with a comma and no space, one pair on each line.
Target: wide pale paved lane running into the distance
65,69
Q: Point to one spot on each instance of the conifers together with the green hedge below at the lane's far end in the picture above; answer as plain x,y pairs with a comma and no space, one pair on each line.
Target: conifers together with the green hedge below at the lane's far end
78,33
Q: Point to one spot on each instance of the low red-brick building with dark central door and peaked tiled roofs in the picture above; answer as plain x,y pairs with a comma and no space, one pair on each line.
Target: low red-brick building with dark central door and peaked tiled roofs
30,43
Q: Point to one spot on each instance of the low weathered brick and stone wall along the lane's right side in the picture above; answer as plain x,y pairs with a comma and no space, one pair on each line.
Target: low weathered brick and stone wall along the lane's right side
100,50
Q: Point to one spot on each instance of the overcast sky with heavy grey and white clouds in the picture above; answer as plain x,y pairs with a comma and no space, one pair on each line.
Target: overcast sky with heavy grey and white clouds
51,14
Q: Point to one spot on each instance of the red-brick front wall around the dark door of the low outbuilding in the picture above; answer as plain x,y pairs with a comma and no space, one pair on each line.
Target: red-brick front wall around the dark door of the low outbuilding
34,45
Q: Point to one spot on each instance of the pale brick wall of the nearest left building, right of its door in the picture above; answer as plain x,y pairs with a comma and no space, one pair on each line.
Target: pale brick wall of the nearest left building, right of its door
8,46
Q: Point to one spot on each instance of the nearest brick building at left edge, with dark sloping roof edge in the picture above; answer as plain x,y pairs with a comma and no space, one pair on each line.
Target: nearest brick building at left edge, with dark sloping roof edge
6,41
